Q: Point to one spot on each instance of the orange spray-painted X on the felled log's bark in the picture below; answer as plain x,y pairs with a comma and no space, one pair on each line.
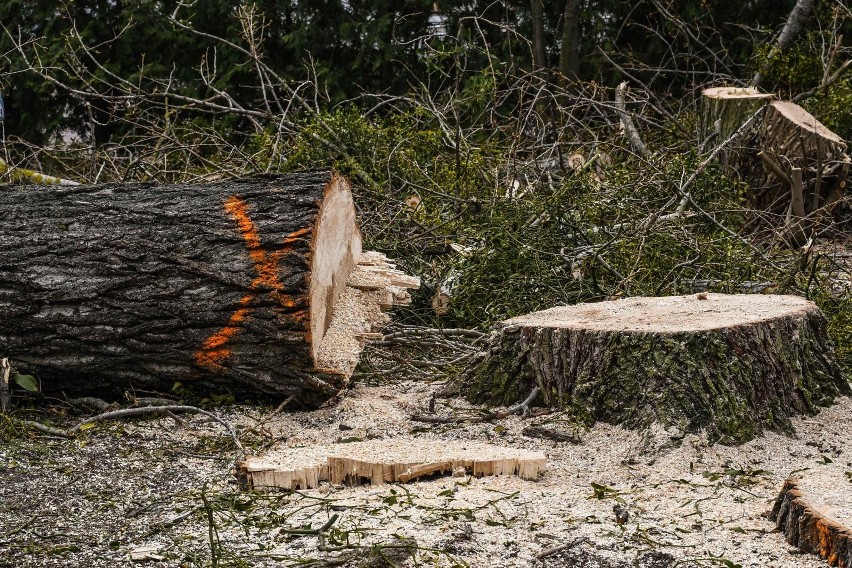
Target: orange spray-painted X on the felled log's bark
214,351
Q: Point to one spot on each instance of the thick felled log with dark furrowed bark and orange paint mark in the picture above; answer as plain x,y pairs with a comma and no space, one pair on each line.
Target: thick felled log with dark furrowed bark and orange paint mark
235,284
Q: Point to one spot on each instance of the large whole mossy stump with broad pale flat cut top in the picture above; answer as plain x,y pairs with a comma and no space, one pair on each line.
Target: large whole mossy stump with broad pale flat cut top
730,364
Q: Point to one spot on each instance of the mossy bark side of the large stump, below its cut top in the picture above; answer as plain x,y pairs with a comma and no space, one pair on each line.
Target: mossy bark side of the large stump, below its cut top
732,382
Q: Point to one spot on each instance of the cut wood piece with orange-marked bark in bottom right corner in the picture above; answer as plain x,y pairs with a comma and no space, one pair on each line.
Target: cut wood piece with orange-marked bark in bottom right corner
815,514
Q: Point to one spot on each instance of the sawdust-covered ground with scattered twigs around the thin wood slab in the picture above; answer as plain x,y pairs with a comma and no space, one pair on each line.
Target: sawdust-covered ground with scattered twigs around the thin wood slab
152,491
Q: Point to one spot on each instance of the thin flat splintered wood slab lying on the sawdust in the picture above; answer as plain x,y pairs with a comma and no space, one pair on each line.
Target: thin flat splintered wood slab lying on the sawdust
384,461
